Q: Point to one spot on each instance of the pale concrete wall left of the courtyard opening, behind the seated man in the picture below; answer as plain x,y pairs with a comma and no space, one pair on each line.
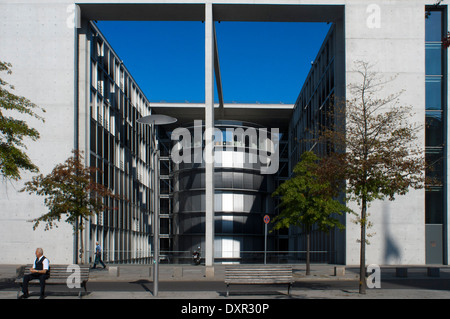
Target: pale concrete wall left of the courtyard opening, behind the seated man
36,40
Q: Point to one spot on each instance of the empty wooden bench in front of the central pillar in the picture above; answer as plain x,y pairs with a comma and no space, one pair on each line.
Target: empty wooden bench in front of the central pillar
258,275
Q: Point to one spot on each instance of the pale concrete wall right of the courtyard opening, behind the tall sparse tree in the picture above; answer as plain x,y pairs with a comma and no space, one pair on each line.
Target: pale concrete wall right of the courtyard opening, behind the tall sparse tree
390,35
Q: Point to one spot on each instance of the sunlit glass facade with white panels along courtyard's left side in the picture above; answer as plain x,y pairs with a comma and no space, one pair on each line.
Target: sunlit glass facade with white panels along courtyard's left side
121,150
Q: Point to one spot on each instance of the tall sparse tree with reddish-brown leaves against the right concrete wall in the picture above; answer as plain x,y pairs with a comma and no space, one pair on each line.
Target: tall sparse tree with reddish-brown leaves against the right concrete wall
377,153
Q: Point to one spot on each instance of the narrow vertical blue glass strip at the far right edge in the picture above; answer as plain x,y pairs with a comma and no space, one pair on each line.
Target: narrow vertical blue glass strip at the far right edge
435,152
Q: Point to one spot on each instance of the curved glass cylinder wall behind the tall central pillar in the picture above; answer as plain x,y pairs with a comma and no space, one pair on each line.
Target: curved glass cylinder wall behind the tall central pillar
241,199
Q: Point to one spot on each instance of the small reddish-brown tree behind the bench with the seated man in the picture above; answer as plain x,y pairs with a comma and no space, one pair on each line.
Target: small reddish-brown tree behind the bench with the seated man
70,190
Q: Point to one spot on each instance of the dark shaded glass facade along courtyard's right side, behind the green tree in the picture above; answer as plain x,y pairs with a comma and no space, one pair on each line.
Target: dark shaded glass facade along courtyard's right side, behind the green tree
312,112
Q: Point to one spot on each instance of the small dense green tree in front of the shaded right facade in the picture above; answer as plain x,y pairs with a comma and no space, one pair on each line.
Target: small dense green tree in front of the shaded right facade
307,200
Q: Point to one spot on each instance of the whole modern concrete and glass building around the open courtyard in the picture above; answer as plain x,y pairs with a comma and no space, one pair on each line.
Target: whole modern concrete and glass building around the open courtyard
63,63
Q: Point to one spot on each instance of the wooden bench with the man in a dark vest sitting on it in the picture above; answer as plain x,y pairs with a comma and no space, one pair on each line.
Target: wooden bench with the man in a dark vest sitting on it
58,276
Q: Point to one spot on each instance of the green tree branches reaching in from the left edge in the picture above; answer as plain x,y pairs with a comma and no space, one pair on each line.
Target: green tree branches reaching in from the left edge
13,130
